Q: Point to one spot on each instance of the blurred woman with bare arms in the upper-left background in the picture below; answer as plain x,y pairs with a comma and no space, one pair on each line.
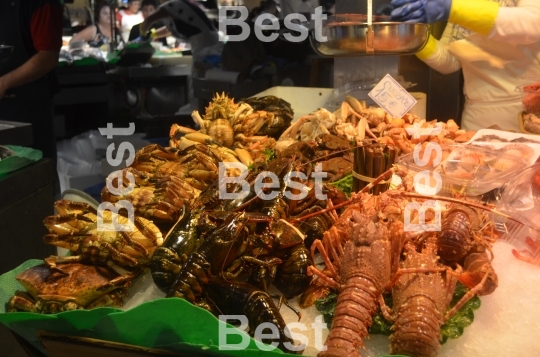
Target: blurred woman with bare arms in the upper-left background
99,34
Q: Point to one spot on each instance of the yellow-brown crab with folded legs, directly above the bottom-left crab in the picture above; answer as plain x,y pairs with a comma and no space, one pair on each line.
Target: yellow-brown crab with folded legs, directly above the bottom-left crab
76,229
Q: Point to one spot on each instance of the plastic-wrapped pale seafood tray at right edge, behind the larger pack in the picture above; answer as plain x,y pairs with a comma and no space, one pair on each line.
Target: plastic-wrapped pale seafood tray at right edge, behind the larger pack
525,146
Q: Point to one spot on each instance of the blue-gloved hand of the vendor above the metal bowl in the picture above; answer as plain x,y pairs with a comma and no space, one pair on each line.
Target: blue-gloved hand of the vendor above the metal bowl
423,11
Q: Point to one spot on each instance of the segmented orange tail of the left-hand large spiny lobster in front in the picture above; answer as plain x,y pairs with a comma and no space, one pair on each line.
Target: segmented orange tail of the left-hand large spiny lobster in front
353,316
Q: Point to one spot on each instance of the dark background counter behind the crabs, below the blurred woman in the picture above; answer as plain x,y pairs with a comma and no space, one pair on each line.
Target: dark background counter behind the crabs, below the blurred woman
91,96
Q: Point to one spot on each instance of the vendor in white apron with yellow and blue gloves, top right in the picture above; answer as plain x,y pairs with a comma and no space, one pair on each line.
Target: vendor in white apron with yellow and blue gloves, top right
496,44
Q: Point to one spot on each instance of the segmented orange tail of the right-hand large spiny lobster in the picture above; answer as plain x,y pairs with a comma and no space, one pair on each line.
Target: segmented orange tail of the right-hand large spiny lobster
417,329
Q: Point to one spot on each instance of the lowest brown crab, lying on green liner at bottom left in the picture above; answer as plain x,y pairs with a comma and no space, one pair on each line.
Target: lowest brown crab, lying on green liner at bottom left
81,287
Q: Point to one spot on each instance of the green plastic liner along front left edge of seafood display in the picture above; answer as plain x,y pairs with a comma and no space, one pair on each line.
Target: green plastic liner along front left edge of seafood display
172,324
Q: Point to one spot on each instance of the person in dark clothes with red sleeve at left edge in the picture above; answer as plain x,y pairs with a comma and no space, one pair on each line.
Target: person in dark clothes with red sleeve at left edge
27,83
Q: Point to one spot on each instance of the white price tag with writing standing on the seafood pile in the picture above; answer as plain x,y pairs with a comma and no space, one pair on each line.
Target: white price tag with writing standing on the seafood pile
392,97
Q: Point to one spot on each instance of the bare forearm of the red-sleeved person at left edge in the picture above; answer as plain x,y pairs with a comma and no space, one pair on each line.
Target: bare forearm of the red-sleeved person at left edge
36,67
